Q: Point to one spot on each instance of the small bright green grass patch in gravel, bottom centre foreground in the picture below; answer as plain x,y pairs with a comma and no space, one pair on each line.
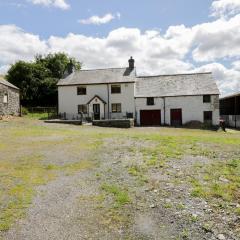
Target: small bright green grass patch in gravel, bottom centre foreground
121,197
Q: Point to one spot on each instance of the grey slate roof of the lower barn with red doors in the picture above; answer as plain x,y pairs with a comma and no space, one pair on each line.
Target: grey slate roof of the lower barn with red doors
176,85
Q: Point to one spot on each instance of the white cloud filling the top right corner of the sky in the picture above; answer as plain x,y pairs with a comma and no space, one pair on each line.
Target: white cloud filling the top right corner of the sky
225,8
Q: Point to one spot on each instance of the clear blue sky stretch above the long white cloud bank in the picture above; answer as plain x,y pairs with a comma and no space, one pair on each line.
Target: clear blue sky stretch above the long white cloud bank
152,14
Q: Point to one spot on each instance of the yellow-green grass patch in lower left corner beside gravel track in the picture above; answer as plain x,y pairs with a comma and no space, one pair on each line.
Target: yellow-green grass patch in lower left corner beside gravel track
17,182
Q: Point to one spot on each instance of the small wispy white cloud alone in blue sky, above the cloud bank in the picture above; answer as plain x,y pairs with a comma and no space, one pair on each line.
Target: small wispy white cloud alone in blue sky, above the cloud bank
97,20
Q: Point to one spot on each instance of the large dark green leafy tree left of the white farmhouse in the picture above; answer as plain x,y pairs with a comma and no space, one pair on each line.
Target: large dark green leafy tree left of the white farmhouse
38,80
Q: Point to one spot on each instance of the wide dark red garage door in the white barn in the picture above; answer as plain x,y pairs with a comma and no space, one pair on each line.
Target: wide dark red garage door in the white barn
150,117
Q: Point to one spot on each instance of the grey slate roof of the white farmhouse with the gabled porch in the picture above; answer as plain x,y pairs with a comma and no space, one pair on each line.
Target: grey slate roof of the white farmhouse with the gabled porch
99,76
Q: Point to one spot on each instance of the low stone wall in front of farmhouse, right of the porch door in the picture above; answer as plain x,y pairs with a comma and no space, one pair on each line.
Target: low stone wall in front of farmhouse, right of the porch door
117,123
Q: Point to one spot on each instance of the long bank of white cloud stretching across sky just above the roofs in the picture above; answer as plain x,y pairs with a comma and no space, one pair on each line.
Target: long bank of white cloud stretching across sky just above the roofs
155,53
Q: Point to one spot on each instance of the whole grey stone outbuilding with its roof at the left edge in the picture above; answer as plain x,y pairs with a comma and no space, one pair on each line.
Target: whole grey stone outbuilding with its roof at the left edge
9,98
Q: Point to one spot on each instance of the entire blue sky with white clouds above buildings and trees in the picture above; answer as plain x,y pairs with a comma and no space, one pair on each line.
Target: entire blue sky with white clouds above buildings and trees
163,36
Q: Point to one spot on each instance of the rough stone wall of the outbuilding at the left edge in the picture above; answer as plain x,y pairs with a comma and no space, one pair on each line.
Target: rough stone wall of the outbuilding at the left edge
12,107
